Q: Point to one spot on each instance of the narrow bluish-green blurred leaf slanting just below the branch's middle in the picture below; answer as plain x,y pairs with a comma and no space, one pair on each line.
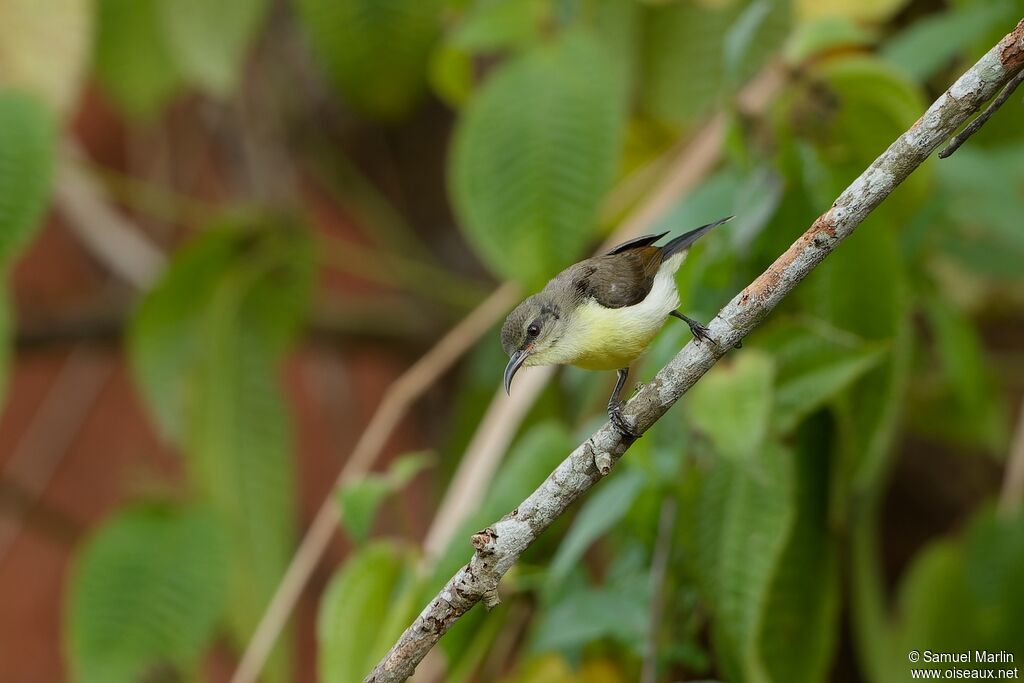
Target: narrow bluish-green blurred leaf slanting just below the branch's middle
605,508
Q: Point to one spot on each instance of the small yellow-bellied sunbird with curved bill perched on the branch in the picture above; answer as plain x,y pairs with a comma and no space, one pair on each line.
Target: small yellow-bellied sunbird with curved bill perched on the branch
603,314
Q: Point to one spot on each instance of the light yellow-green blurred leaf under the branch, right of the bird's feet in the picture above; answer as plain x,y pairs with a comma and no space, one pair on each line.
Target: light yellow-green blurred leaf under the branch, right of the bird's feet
733,404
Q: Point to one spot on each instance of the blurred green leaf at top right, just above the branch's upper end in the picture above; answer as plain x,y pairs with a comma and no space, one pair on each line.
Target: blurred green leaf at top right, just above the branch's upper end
934,41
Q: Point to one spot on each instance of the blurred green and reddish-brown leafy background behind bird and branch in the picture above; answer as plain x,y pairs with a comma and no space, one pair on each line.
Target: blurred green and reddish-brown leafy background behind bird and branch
328,186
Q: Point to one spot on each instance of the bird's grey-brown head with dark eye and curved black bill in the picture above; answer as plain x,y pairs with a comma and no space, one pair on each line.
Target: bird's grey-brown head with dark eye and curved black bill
531,334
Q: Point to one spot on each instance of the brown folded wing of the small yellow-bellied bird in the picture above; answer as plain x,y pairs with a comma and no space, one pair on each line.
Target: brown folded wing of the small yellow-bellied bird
618,280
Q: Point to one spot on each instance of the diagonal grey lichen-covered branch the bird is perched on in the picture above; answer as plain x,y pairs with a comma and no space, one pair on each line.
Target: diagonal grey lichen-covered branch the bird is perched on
498,547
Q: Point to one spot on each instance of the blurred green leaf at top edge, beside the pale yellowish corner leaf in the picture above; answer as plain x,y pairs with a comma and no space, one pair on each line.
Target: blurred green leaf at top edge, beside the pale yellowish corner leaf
133,61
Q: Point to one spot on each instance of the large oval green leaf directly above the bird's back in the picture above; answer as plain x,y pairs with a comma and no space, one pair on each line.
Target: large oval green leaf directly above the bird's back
534,155
